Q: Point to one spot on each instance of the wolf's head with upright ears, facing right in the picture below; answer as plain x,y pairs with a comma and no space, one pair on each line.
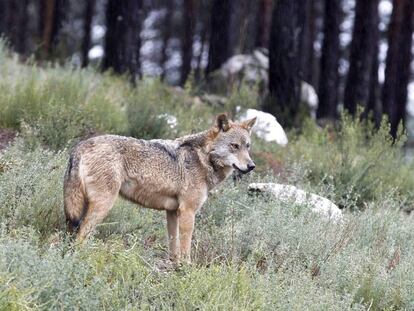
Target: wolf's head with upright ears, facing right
230,145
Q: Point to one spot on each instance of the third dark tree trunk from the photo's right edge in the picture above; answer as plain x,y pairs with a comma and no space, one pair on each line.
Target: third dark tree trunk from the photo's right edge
329,76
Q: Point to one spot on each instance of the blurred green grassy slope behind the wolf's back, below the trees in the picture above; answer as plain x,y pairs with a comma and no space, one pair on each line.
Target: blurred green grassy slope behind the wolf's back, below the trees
53,105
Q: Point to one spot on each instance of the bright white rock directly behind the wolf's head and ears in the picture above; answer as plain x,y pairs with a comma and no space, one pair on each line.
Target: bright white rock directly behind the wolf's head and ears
266,127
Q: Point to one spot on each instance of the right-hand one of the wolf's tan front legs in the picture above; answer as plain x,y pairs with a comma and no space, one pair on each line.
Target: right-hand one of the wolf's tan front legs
186,218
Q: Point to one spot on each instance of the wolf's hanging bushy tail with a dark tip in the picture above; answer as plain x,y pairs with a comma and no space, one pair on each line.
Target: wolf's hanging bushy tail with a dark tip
74,195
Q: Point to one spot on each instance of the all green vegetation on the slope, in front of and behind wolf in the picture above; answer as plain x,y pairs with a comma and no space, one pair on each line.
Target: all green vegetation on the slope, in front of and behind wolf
249,252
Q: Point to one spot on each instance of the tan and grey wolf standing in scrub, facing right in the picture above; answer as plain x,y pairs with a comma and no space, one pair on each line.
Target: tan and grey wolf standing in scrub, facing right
171,175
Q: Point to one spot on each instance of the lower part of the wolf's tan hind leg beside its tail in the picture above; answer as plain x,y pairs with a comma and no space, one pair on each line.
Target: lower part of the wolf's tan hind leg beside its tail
97,211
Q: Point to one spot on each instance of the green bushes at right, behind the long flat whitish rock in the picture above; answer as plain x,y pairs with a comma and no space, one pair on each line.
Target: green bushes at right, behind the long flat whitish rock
352,165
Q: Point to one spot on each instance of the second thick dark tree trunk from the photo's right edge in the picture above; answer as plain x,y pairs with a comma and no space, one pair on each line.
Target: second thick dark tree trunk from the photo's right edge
363,47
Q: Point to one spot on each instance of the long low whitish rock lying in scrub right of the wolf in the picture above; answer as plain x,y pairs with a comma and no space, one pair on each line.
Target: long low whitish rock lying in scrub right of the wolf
288,193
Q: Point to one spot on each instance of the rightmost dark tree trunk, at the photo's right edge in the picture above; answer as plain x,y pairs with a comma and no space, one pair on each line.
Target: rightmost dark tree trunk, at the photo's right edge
397,72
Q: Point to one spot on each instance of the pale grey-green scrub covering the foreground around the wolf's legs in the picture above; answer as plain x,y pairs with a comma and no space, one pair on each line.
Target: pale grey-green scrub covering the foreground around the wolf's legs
250,252
